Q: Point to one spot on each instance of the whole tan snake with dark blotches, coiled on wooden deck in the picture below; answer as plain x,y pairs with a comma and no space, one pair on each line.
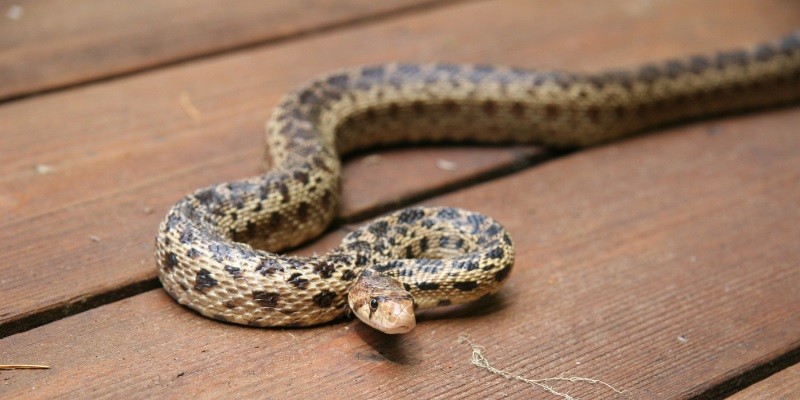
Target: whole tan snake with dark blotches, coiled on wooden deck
218,249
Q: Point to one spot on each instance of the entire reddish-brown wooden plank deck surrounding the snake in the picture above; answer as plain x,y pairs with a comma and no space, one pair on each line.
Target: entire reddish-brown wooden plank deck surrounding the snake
667,265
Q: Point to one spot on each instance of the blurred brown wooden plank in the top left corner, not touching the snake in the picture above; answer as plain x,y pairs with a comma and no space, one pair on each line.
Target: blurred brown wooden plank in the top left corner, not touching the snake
55,43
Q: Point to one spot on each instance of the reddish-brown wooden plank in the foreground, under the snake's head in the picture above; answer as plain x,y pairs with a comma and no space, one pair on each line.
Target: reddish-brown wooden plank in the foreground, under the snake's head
664,265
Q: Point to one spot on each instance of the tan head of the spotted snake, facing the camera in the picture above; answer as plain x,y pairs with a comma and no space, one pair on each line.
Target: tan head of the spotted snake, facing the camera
382,303
